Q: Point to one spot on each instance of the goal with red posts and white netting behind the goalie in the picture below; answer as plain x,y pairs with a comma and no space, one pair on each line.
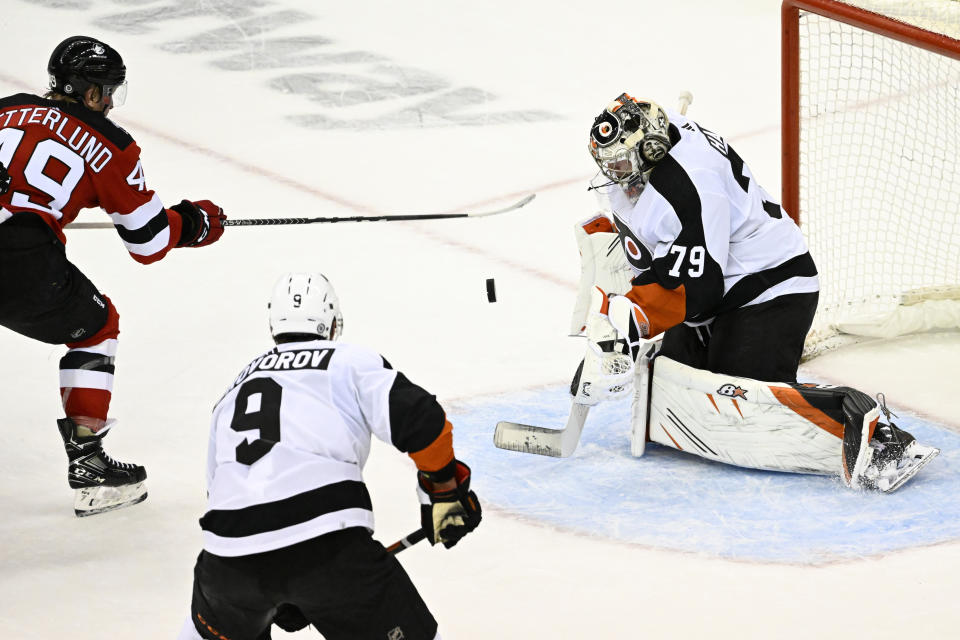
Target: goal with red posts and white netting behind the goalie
871,161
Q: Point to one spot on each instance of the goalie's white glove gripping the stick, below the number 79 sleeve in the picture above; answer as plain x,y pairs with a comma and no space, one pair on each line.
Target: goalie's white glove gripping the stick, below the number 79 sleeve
615,330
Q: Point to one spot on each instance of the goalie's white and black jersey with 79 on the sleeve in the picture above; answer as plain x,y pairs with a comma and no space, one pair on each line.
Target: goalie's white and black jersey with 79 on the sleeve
703,237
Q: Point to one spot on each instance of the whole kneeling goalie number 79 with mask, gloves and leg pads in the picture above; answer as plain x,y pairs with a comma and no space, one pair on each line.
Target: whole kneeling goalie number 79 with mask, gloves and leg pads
715,265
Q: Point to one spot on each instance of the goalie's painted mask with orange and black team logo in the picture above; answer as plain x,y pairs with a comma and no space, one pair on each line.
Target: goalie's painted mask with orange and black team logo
628,139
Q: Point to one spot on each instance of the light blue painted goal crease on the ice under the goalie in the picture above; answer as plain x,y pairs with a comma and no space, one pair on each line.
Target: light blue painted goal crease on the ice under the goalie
676,501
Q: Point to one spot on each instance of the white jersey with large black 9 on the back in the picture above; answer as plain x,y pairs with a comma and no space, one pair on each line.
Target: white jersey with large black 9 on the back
290,438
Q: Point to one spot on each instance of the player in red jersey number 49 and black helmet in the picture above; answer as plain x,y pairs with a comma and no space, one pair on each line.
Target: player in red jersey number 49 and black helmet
62,154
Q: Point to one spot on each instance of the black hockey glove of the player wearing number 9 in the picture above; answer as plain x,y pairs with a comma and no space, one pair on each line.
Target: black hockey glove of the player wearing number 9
447,515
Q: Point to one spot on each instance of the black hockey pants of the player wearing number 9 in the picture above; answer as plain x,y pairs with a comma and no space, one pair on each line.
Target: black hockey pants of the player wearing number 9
345,584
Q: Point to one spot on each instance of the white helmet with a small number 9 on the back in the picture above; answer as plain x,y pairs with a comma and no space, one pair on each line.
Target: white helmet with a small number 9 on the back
305,303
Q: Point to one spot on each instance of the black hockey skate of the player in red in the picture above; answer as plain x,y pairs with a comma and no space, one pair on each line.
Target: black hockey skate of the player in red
101,483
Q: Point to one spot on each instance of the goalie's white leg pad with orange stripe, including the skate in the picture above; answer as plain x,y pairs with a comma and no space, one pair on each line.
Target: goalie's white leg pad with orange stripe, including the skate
800,428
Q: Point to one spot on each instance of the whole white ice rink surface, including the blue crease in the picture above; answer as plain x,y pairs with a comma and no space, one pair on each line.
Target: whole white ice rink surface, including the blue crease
280,108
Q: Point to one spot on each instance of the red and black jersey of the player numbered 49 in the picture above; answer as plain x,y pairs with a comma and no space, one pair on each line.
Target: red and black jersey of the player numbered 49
63,157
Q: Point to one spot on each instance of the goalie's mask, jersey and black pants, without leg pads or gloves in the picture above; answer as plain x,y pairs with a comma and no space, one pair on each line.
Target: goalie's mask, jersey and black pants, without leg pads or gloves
717,263
